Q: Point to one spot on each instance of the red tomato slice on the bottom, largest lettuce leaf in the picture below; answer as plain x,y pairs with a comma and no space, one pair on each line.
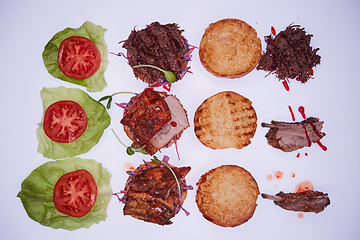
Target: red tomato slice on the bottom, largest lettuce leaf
75,193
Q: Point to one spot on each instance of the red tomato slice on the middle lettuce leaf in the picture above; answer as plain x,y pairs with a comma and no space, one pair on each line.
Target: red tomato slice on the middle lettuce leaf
64,121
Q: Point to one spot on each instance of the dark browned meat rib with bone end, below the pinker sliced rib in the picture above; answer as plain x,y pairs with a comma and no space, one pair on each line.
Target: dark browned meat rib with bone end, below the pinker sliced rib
308,201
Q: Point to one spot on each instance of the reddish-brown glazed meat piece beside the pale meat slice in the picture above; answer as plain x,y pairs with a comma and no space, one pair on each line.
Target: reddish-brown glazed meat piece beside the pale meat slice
146,116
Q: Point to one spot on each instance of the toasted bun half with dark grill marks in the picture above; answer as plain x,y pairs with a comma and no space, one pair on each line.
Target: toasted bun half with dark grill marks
225,120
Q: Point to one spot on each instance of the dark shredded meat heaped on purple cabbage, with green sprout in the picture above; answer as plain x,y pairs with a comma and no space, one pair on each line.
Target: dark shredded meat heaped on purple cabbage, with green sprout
158,45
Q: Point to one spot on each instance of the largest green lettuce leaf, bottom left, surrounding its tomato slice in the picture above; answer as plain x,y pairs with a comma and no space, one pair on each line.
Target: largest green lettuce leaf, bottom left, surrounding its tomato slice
37,191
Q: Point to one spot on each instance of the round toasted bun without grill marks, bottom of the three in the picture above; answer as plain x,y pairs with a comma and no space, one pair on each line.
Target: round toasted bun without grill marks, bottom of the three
227,195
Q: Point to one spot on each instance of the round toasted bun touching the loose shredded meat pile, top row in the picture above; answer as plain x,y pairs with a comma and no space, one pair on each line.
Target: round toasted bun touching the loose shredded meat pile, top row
230,48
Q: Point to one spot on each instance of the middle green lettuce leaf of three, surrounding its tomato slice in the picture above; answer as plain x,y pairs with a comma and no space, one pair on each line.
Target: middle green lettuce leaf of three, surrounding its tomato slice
98,121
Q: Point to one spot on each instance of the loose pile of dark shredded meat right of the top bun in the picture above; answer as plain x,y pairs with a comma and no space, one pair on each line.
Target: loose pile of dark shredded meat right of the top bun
289,55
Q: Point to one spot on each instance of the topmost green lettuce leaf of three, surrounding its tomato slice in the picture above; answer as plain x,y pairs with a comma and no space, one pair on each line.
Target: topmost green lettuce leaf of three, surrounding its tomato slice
95,83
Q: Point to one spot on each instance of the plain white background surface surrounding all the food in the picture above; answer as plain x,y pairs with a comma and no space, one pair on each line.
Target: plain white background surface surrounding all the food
26,26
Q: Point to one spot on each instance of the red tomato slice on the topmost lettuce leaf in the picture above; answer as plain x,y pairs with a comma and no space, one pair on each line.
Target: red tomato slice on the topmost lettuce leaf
78,57
